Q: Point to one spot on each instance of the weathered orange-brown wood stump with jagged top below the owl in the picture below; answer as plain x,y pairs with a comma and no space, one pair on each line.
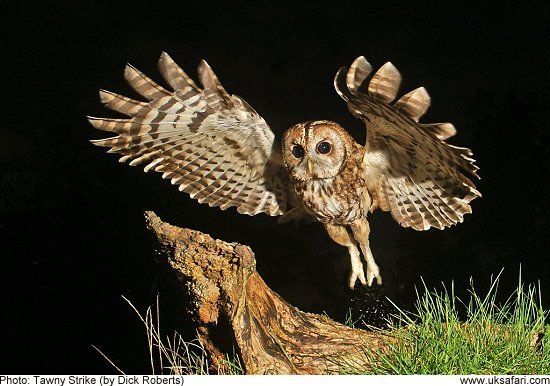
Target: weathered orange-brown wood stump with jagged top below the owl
229,298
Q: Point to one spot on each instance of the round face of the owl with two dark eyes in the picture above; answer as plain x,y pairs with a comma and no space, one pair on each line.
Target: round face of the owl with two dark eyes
315,150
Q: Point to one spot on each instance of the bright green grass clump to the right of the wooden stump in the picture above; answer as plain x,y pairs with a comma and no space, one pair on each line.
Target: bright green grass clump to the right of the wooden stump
492,338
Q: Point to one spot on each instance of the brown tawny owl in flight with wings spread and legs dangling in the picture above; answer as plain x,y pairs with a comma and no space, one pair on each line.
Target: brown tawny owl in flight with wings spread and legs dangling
215,147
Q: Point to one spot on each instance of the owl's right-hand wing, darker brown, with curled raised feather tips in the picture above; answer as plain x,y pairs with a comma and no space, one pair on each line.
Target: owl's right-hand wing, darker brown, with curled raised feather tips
409,168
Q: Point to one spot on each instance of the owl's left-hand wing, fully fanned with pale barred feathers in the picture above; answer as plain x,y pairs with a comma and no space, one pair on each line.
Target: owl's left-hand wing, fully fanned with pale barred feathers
212,144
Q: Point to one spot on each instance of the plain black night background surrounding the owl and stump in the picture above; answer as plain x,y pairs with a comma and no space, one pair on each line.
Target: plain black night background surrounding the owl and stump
72,237
